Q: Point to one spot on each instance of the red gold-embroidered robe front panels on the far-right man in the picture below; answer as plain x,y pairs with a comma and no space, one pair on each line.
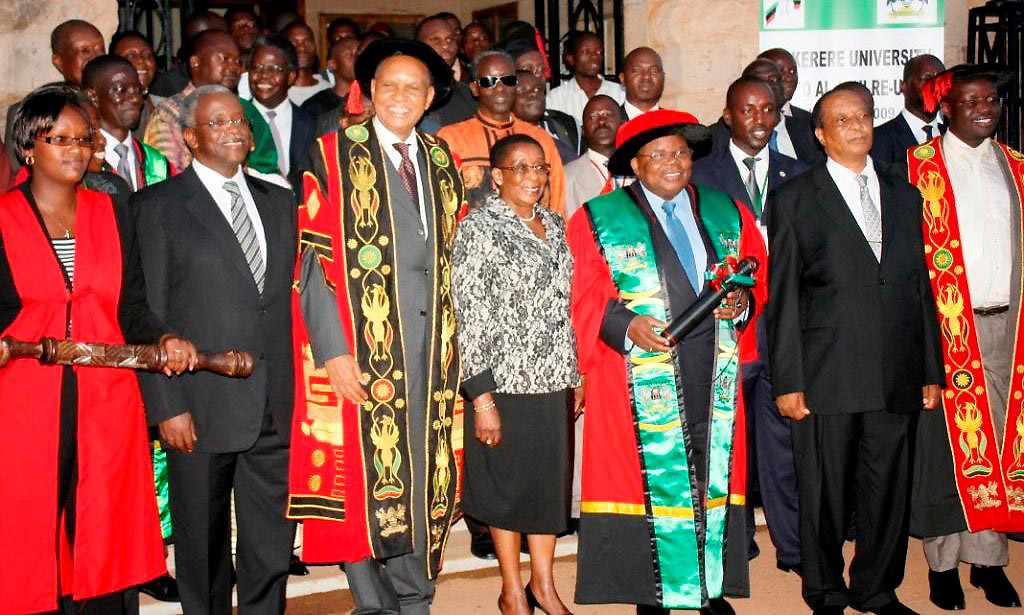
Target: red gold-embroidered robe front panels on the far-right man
990,477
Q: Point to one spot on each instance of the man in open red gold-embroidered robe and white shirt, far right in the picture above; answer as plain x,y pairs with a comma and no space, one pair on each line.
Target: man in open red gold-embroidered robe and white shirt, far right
969,472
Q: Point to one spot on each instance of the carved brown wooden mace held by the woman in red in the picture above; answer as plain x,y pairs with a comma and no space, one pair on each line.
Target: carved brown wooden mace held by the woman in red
51,352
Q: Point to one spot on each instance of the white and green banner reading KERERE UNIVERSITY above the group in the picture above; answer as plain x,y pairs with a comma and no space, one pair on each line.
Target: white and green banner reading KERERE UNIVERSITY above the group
854,40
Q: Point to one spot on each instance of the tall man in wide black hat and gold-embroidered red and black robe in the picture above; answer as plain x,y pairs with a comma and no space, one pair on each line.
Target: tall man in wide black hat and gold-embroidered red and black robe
377,432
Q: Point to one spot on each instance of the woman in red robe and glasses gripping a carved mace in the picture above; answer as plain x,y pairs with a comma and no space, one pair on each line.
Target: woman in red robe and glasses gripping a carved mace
76,484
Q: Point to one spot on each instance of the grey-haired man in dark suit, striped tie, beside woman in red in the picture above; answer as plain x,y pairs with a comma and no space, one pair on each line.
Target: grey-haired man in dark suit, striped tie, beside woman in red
219,251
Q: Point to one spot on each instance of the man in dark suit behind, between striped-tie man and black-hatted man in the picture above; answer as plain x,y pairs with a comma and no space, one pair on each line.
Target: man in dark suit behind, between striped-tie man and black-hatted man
272,71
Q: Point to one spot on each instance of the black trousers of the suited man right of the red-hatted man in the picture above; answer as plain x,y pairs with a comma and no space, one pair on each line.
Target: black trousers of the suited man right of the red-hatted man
843,461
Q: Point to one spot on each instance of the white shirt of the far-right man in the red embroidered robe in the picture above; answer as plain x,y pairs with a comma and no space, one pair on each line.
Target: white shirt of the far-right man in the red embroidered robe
984,212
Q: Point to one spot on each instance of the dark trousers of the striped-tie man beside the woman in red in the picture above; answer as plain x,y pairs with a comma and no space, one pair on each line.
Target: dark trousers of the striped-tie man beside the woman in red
201,492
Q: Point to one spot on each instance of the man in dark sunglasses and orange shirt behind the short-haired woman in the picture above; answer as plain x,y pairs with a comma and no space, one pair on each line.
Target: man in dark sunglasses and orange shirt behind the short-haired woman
494,84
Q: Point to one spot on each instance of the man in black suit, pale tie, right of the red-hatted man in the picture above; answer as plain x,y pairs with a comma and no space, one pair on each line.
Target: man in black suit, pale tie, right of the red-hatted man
856,356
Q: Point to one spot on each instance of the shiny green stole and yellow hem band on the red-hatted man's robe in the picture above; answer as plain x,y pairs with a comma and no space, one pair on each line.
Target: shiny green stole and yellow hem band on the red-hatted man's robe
690,556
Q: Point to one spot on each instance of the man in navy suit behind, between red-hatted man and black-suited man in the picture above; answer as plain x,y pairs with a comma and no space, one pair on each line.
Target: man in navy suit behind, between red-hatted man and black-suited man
748,170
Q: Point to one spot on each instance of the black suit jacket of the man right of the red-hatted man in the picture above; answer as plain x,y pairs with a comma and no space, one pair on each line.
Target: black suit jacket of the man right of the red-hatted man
854,334
